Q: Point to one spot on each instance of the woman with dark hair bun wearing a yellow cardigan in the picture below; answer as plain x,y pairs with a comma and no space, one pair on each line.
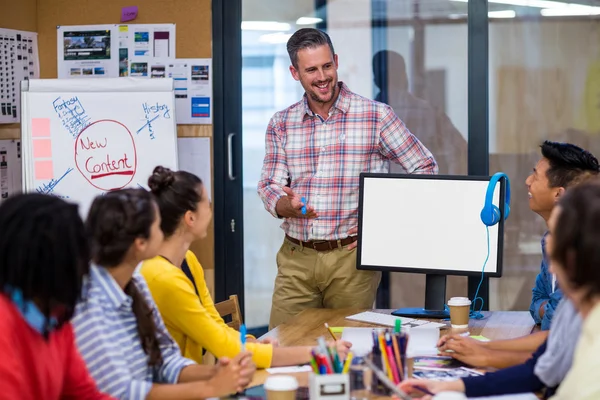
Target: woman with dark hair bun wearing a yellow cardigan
185,304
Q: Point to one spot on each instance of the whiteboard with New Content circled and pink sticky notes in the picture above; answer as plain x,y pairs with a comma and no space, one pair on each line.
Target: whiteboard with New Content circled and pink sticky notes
82,138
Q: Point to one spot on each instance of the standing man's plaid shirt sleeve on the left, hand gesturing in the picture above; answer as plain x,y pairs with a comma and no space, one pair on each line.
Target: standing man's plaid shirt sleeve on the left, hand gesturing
275,170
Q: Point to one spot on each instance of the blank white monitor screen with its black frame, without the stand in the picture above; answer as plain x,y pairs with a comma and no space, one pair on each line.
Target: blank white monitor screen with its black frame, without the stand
426,224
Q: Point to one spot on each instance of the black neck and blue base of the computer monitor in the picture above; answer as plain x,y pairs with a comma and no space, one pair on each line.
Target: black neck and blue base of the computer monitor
435,300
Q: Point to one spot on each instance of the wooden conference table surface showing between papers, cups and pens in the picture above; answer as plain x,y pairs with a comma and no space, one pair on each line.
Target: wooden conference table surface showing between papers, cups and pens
306,327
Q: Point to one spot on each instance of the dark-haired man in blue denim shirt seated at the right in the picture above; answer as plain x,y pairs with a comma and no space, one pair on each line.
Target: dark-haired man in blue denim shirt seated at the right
561,166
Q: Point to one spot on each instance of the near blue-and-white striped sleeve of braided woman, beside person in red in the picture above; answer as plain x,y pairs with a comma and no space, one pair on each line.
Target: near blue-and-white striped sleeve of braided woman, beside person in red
103,357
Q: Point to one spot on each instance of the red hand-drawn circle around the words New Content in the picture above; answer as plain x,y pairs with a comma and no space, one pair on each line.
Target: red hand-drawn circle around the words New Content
105,154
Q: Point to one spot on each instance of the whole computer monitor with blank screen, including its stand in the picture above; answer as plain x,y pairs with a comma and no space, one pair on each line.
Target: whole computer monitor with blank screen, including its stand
428,224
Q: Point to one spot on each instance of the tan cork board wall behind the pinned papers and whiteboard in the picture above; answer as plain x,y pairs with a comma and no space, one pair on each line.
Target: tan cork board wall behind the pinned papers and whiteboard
193,19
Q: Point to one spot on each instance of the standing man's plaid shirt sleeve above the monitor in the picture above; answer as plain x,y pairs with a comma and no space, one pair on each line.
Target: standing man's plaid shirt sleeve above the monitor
399,145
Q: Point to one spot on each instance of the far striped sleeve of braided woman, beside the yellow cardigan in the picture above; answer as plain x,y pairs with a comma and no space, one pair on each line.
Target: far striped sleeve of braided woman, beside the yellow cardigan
173,361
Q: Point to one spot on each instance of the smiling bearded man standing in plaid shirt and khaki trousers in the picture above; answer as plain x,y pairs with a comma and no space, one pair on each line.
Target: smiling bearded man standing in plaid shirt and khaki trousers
315,151
